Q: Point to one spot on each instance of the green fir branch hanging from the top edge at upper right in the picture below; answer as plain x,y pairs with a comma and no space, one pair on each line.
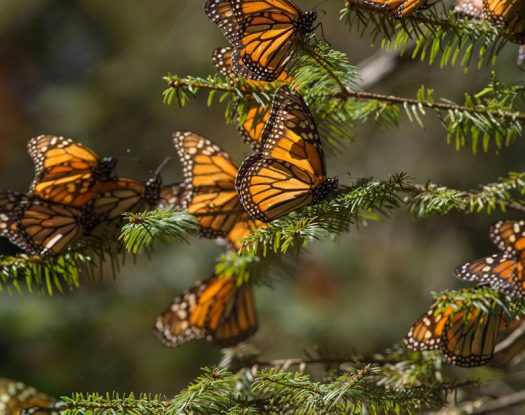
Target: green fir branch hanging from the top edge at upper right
437,32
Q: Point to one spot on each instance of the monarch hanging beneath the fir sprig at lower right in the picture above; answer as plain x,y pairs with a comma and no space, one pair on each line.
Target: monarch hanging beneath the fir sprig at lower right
466,337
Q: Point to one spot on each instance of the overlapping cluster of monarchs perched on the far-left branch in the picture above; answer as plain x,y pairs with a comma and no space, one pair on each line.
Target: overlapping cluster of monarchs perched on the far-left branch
74,195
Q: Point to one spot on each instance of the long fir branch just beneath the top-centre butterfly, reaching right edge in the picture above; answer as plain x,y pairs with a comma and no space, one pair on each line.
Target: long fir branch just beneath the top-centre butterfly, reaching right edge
489,118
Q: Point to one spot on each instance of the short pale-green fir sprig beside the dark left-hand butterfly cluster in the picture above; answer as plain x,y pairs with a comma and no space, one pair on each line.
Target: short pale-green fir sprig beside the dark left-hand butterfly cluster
166,225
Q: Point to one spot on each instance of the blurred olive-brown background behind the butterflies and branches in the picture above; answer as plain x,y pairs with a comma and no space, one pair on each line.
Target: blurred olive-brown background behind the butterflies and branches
92,70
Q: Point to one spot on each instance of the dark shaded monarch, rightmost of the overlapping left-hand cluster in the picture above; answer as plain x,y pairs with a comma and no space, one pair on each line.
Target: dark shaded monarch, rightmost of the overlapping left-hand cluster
113,198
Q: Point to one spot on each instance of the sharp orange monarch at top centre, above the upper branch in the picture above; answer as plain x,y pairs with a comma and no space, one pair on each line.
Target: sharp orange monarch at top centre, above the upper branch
264,33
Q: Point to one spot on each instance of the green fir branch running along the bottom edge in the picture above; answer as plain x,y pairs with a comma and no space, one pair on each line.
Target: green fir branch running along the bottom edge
221,392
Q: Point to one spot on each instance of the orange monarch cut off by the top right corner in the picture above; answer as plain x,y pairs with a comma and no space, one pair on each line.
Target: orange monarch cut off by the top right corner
510,15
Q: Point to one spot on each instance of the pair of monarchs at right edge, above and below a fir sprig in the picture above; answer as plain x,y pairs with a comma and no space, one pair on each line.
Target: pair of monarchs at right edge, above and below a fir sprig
467,336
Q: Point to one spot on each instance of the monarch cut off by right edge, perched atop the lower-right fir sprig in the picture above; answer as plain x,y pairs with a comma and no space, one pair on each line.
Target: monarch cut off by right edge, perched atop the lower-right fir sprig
505,271
